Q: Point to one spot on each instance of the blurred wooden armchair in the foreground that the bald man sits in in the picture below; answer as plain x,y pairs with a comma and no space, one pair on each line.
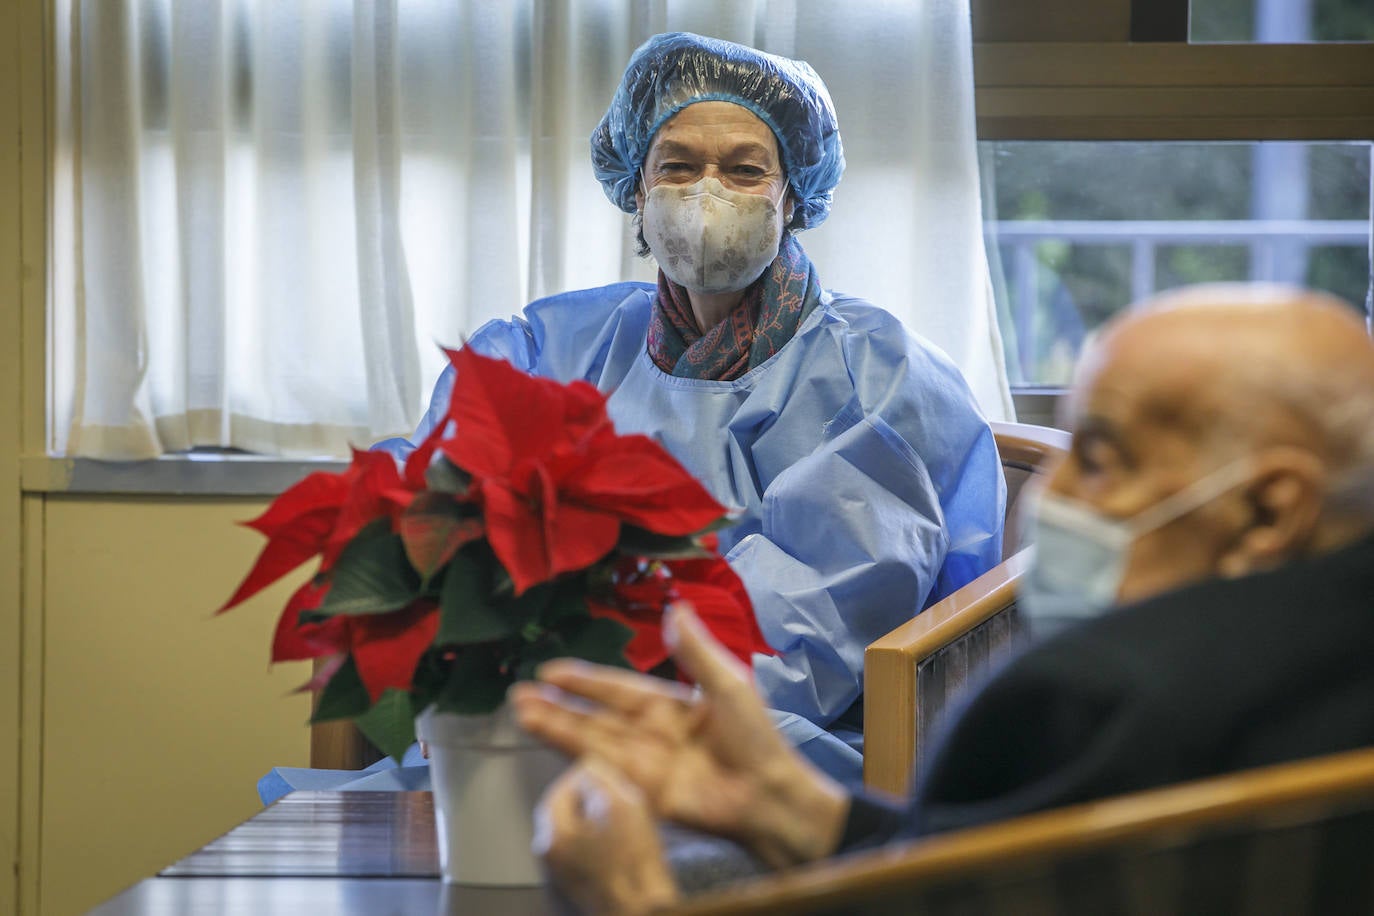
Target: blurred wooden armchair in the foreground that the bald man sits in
1296,838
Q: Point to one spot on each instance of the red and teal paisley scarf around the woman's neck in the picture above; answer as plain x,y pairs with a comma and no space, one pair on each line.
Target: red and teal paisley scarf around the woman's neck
767,317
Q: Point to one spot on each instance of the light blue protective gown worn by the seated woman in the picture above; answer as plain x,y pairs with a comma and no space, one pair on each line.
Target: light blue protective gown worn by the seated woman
869,484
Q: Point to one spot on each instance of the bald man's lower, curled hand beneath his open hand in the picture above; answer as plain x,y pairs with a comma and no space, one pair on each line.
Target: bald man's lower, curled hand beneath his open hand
597,837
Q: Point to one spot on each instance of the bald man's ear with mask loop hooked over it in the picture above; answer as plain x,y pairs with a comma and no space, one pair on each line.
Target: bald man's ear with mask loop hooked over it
1285,506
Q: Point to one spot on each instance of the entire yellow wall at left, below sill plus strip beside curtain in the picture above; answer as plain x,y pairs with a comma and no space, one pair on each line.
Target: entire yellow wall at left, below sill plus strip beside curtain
133,724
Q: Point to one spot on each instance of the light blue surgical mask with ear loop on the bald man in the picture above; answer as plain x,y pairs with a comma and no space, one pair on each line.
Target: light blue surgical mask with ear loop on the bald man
1081,556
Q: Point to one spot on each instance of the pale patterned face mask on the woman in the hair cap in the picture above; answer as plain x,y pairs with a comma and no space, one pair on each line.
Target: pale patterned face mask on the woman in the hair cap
708,238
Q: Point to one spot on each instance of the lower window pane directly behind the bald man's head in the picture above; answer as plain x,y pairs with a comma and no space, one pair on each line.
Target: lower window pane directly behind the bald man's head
1081,230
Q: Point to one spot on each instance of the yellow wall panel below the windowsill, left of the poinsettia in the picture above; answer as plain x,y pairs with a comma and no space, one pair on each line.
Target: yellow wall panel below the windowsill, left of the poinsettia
157,718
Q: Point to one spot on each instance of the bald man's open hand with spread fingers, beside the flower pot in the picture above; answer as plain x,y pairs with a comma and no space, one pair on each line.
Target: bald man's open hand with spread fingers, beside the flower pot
710,760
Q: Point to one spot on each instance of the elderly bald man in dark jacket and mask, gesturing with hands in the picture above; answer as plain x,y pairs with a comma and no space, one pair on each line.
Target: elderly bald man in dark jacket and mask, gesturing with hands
1206,565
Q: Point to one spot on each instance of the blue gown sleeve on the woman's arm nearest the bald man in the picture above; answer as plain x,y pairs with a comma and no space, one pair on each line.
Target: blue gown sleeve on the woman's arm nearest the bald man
901,505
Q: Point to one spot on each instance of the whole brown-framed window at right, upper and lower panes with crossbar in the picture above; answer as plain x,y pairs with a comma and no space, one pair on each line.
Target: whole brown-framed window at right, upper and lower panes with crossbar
1122,157
